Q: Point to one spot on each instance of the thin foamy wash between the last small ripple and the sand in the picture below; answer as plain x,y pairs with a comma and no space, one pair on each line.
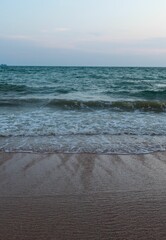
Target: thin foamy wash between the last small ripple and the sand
102,145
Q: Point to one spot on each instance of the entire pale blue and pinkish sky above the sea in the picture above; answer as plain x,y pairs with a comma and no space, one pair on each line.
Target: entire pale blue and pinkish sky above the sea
83,32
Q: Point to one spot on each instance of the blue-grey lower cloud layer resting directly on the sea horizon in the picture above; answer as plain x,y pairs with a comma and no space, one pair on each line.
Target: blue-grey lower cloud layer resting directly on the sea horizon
26,53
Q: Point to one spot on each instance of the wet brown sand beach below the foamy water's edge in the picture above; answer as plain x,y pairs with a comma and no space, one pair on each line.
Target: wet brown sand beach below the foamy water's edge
82,196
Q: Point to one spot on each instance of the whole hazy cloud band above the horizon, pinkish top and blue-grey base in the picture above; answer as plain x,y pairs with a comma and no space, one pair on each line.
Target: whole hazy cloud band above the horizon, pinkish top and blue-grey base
99,51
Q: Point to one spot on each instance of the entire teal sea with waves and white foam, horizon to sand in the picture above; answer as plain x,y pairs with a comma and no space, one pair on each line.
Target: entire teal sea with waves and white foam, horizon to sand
105,110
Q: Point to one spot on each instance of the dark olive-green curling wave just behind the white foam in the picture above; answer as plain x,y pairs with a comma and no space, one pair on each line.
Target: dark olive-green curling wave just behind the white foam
70,104
